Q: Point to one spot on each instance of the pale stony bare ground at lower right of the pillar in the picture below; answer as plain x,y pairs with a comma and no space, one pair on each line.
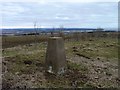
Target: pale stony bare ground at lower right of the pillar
102,73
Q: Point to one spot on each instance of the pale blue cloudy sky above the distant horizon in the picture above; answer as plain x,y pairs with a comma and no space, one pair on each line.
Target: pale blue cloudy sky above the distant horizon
57,13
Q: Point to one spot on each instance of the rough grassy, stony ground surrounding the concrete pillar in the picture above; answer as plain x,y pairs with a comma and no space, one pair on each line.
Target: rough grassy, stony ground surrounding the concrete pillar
91,62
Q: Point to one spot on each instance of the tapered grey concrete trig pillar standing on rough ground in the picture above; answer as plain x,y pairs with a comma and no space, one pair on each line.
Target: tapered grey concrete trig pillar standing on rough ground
55,56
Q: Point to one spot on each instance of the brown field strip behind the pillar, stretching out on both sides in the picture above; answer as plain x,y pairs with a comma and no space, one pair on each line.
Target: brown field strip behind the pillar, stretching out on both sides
11,41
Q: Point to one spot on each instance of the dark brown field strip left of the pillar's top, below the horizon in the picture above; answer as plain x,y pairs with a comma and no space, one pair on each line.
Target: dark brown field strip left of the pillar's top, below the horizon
10,41
